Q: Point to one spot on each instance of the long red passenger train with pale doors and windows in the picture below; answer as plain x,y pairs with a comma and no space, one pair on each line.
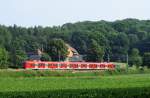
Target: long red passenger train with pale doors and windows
68,65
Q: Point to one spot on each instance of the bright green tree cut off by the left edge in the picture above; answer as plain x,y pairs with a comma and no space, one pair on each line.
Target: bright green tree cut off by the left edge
3,58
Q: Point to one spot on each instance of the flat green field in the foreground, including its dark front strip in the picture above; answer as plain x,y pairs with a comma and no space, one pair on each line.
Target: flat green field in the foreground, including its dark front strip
117,86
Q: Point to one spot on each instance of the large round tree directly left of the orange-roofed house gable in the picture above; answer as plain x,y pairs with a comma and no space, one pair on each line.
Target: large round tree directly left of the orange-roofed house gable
57,49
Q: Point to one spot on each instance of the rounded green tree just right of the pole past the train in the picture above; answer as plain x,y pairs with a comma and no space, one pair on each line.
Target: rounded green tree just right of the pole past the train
135,58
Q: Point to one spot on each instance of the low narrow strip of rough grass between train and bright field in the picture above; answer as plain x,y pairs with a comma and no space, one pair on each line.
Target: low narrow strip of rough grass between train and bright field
66,73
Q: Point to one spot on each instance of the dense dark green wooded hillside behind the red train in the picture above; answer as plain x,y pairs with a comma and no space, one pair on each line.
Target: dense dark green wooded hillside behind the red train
121,41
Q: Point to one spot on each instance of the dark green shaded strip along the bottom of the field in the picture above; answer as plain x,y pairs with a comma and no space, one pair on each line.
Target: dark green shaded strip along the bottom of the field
82,93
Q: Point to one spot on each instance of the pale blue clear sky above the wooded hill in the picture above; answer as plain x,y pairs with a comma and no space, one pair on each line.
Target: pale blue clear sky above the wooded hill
58,12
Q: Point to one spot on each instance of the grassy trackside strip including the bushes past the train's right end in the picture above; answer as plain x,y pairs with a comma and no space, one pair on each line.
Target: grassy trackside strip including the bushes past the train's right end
20,73
